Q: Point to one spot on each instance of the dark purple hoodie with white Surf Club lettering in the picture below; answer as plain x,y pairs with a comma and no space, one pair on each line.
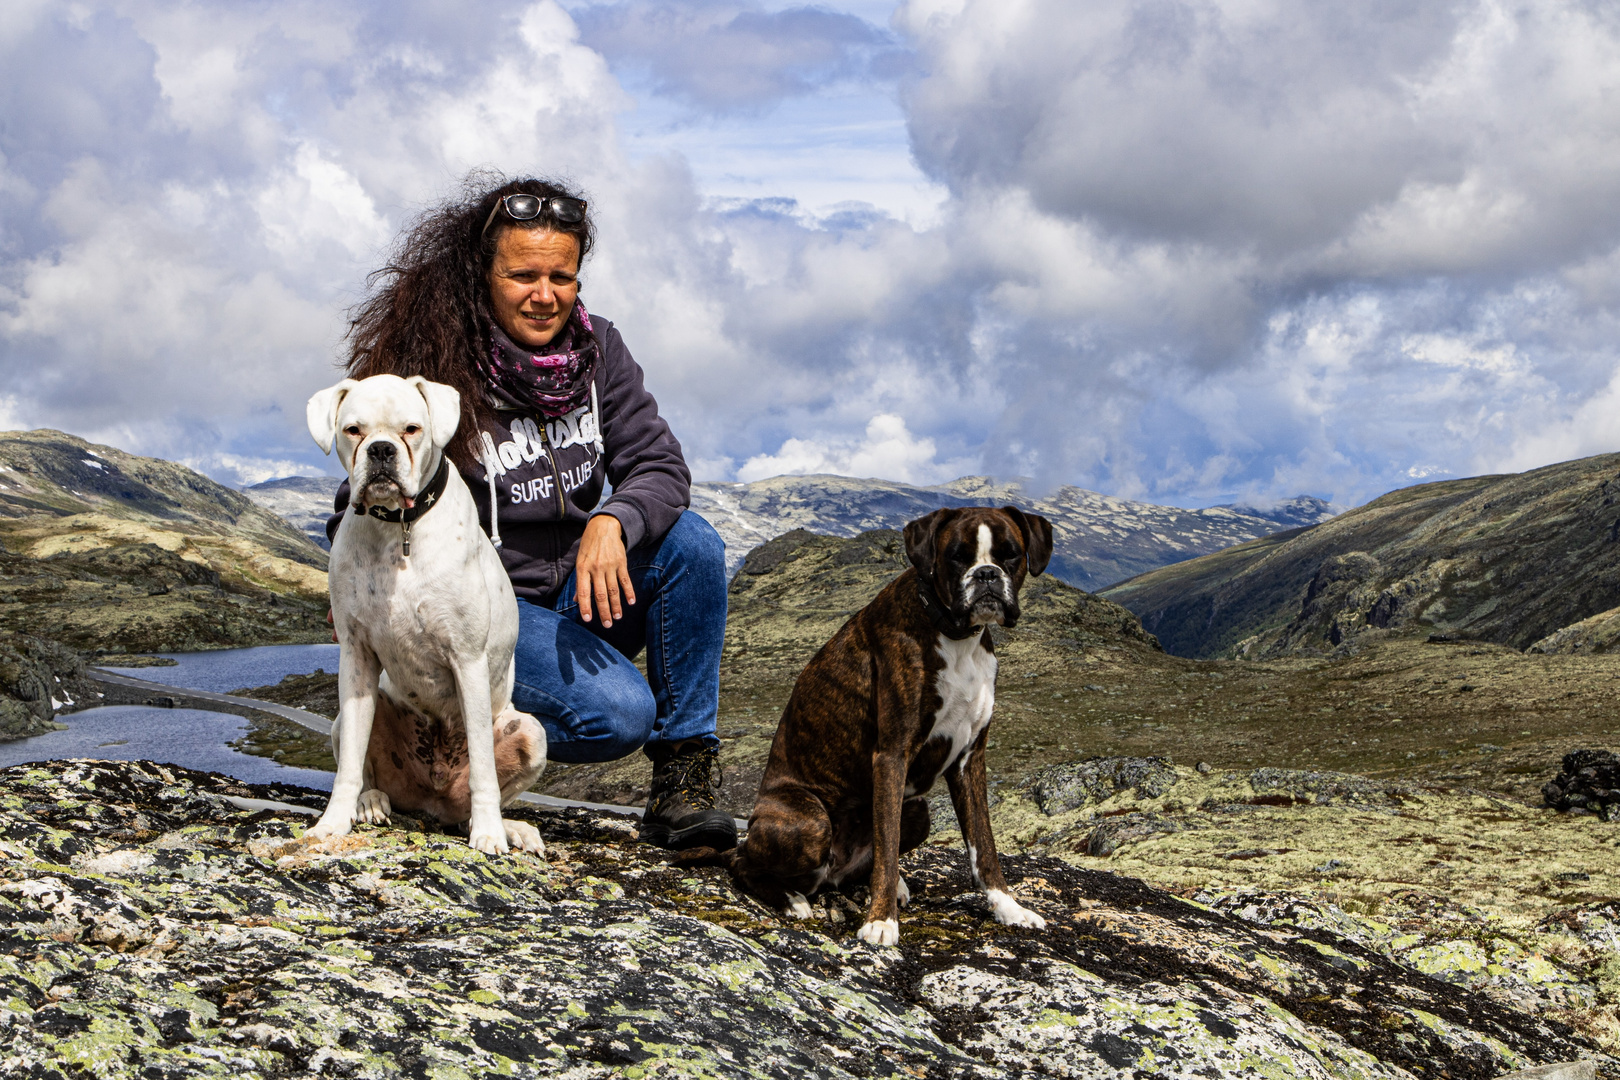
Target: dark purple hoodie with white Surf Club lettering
550,474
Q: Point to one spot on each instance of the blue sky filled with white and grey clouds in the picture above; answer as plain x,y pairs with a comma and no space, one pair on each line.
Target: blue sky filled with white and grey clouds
1180,252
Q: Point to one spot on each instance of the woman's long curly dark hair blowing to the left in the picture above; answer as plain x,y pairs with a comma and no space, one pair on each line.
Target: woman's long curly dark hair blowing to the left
427,313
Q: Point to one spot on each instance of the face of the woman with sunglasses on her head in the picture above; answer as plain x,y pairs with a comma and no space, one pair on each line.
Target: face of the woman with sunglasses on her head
534,283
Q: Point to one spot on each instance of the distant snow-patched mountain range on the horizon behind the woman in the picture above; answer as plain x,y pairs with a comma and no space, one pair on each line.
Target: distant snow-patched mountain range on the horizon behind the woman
1101,540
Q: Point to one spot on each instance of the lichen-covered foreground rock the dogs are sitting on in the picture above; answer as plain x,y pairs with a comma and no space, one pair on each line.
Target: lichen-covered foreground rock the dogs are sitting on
161,924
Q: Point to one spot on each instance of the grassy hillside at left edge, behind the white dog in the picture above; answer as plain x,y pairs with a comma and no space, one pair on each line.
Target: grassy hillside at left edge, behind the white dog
104,553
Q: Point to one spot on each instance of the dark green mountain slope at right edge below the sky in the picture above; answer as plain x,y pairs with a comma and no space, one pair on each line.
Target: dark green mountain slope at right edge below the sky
1524,561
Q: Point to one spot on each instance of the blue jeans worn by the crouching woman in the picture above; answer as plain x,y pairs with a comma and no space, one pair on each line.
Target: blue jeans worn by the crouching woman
578,679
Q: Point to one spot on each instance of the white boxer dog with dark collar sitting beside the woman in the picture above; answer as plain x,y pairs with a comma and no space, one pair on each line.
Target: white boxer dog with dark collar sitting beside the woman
427,623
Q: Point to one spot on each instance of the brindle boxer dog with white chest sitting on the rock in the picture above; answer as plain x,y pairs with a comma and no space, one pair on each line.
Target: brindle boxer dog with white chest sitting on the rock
898,699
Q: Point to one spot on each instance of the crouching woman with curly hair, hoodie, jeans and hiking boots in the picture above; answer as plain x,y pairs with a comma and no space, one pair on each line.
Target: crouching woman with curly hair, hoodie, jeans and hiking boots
485,296
